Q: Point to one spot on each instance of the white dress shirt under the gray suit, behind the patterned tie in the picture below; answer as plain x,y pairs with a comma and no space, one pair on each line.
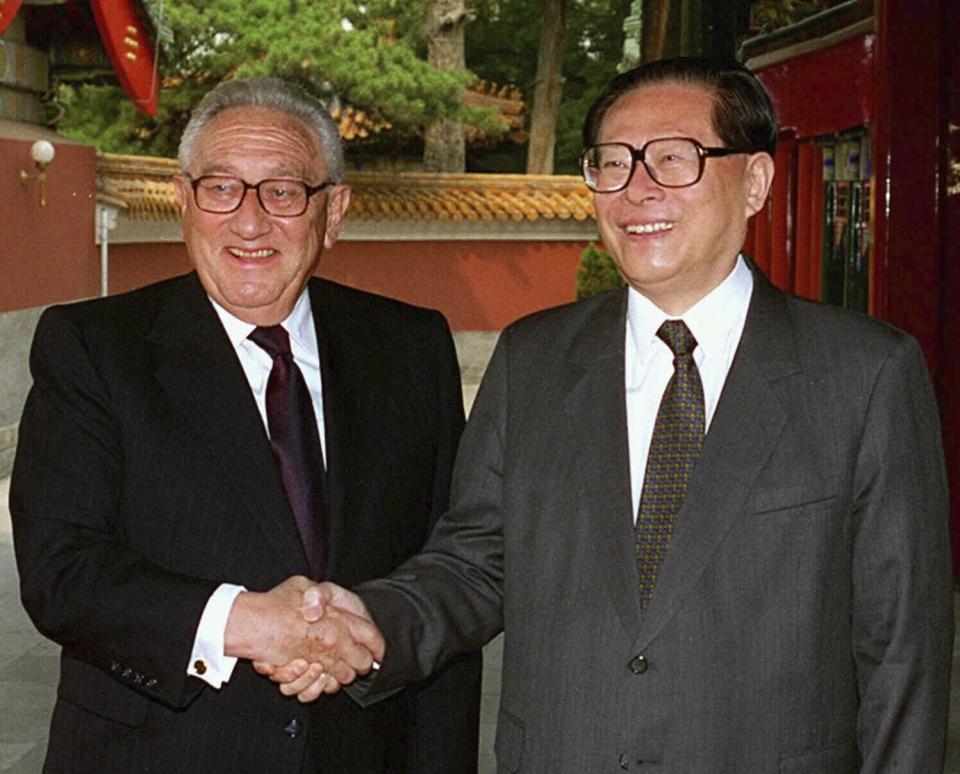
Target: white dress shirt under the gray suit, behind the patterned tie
716,322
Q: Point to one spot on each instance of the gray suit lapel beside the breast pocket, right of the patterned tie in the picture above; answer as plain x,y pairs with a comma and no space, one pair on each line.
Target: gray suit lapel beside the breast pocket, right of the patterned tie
745,429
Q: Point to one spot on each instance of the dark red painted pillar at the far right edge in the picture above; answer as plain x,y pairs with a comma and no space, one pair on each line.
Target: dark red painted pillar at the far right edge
917,278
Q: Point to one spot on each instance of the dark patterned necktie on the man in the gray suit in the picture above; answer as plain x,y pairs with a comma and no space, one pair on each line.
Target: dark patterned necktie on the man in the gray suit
674,448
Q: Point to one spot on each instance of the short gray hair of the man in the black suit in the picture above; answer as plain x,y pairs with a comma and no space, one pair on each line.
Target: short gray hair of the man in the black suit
274,94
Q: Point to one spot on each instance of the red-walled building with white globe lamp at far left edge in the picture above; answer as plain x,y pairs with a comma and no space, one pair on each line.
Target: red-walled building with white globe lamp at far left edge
48,207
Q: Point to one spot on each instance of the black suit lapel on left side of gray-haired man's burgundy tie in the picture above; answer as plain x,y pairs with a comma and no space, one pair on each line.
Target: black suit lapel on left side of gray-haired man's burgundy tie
198,369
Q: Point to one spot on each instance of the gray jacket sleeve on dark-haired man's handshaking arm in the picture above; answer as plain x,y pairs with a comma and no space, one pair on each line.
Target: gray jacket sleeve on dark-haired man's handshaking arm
455,605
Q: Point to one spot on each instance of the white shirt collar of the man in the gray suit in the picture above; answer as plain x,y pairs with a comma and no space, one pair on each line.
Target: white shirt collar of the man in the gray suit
710,320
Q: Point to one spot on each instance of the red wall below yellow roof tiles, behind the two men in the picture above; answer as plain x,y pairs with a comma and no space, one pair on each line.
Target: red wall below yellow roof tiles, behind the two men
479,285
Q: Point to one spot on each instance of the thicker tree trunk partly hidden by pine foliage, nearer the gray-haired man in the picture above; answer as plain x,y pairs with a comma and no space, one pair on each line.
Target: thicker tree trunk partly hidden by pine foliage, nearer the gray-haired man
444,149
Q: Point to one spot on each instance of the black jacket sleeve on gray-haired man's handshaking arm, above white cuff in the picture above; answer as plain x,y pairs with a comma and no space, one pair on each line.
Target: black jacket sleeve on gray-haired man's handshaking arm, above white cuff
81,584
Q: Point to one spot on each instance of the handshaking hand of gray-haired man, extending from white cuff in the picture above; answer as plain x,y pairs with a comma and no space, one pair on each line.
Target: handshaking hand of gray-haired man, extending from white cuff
274,628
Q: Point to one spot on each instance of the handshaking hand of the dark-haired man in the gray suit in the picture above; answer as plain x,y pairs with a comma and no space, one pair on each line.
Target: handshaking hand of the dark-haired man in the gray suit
331,607
